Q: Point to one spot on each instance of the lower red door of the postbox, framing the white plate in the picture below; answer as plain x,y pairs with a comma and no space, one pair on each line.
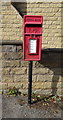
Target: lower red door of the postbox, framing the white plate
29,52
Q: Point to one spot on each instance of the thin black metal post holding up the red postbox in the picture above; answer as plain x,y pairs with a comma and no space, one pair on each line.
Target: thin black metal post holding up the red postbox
30,82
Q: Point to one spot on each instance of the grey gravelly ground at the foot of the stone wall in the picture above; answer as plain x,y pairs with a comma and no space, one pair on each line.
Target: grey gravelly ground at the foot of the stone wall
17,107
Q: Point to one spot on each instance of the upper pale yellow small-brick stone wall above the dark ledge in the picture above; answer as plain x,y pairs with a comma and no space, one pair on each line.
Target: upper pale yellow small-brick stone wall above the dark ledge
11,22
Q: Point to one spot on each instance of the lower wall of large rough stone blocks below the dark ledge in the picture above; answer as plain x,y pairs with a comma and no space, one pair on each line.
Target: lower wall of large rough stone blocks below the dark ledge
46,73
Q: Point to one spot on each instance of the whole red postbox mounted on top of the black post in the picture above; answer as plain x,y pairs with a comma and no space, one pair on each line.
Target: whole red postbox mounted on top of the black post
32,43
